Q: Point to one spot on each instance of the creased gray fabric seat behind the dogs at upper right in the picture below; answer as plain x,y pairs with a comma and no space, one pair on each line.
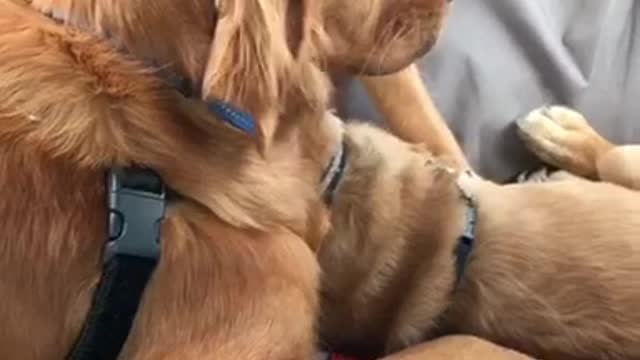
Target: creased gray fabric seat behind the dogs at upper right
499,59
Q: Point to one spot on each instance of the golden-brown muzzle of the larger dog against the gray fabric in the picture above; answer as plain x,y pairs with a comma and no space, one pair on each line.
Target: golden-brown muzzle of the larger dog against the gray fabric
376,37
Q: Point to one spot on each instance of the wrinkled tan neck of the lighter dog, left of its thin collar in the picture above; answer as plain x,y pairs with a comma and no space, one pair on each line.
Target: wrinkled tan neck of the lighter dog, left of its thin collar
389,225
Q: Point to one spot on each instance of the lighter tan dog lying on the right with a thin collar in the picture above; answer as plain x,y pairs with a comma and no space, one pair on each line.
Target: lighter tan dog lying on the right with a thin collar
419,249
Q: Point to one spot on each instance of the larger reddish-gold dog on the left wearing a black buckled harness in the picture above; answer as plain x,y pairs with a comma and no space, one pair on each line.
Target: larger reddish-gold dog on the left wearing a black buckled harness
239,238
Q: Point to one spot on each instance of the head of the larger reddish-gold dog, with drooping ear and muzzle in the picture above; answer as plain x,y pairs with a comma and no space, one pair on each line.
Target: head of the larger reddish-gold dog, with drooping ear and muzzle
255,54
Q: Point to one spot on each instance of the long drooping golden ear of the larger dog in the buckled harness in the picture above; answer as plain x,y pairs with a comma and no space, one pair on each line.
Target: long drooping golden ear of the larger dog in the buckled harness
254,59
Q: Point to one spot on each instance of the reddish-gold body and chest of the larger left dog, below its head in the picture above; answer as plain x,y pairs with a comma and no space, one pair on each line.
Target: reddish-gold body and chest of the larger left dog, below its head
234,253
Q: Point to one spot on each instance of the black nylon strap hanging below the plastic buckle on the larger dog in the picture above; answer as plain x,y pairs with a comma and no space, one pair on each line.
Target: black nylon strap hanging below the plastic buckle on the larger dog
114,307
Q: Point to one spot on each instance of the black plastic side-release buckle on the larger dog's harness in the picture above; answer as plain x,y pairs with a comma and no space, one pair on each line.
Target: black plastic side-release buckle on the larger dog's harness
136,202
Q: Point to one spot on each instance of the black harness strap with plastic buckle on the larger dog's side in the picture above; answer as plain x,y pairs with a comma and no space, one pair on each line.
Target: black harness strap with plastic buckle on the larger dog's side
136,203
